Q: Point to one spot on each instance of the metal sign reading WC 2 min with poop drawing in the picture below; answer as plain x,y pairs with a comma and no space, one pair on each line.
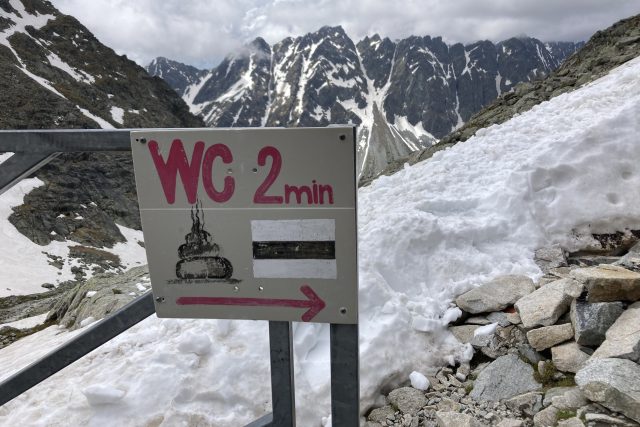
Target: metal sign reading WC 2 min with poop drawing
250,223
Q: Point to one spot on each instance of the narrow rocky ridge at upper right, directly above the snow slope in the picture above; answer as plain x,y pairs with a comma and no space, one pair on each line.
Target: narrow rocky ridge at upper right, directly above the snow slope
605,50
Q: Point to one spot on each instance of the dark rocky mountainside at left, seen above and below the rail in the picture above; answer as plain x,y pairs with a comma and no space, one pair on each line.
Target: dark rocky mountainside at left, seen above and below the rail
55,74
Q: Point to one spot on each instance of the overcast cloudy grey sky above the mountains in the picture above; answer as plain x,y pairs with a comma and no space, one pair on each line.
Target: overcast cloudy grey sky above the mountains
202,32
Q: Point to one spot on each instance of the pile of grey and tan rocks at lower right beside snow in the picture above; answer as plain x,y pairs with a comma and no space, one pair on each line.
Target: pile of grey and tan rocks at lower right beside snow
561,352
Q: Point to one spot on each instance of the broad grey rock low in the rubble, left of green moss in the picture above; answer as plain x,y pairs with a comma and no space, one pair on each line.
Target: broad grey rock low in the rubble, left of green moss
505,377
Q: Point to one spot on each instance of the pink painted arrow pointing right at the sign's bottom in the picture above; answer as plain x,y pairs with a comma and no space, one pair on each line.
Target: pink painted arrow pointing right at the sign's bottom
314,303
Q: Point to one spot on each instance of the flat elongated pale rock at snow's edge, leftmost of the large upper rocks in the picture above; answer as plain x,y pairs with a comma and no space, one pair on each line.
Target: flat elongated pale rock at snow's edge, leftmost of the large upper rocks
495,295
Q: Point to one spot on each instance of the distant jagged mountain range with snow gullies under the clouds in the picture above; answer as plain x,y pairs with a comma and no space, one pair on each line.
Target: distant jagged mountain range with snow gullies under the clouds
404,95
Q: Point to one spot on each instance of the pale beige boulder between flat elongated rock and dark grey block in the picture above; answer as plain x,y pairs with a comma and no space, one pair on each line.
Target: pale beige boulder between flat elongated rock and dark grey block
545,306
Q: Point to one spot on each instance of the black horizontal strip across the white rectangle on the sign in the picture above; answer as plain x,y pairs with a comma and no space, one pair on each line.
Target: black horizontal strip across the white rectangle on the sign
294,250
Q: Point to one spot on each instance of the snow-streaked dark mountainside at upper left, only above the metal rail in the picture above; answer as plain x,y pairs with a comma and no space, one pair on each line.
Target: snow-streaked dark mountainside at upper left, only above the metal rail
54,72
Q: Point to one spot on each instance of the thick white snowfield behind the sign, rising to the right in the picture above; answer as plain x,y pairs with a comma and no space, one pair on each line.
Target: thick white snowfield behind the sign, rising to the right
563,169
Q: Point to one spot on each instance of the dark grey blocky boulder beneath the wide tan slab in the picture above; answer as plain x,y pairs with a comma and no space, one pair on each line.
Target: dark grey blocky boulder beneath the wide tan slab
591,320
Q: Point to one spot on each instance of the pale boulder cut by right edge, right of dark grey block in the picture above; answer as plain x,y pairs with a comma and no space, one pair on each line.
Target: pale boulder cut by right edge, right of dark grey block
623,337
